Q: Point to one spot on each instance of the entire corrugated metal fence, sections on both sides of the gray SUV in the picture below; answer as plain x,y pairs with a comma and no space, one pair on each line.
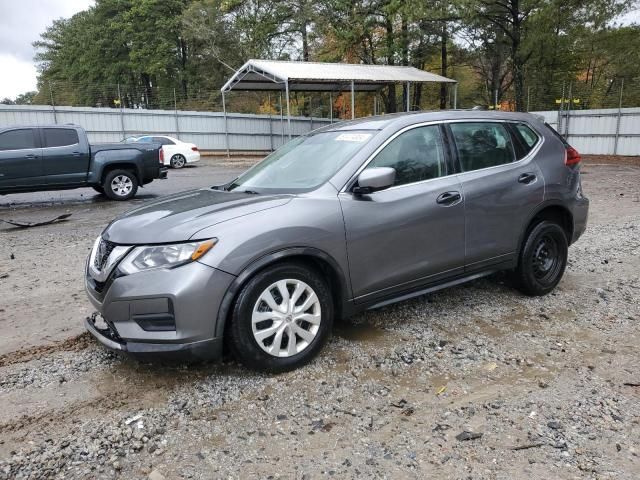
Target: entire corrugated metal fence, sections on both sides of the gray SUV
607,131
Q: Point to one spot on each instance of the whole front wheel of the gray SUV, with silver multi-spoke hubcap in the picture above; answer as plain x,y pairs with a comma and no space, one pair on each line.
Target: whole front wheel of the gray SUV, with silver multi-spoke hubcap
282,318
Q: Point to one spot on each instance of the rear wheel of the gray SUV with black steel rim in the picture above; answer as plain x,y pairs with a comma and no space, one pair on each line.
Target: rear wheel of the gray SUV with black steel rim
543,259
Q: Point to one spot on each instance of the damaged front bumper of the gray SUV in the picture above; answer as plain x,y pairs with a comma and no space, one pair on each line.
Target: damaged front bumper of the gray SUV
165,311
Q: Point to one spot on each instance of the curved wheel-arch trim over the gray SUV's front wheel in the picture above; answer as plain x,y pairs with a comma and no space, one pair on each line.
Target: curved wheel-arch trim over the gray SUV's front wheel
235,287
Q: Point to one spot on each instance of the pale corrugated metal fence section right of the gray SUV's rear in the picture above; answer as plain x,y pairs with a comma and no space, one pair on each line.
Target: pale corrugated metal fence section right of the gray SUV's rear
609,131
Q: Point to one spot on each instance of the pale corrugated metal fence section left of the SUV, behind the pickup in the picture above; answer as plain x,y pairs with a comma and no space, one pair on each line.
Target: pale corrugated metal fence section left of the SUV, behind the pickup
205,129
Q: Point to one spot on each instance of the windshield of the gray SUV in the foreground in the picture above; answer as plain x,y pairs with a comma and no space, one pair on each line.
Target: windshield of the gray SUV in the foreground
303,163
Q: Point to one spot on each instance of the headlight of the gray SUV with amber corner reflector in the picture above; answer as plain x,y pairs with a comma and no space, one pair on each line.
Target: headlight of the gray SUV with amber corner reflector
164,256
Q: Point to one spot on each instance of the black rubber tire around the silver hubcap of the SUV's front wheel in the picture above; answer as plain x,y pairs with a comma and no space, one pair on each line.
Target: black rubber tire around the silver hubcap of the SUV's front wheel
241,340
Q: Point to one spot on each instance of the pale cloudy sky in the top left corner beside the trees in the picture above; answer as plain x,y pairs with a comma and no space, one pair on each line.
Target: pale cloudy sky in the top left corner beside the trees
21,23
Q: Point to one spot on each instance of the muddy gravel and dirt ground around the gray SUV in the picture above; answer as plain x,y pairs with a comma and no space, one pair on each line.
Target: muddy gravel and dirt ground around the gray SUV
544,387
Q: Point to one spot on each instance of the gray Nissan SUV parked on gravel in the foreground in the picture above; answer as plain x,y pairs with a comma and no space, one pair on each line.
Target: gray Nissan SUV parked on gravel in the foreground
350,217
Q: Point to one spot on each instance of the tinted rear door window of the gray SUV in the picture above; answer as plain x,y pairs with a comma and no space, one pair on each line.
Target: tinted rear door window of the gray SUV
482,145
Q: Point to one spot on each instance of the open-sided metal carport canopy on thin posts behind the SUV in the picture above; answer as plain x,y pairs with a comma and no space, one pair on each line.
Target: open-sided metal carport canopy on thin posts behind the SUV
278,75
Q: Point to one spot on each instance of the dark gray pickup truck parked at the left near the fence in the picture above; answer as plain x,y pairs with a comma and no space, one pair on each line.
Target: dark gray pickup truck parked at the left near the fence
59,157
